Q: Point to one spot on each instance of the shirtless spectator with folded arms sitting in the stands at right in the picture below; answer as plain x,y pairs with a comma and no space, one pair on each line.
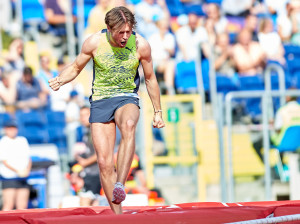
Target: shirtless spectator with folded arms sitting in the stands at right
248,56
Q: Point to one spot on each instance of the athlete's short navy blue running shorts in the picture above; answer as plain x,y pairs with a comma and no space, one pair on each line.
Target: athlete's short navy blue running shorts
103,110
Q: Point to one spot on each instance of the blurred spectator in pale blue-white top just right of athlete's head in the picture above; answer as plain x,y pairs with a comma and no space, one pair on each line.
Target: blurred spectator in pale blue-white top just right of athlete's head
147,12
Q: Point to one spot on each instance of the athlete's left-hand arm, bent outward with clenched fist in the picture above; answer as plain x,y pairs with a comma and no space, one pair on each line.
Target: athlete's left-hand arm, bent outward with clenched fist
72,70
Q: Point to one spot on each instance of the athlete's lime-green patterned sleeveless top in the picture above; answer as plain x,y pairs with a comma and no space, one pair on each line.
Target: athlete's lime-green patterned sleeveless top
115,70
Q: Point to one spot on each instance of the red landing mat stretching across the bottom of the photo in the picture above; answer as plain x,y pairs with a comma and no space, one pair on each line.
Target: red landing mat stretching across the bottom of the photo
202,212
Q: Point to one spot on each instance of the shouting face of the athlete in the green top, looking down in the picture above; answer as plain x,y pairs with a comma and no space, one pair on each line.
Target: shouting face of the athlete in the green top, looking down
119,37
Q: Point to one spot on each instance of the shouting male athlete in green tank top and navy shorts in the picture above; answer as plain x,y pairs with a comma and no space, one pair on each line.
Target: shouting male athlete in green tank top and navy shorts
117,53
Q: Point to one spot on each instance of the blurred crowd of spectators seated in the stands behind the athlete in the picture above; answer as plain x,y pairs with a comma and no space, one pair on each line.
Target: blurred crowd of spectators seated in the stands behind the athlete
242,37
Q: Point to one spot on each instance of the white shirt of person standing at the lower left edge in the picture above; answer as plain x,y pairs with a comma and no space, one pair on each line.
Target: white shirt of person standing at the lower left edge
16,153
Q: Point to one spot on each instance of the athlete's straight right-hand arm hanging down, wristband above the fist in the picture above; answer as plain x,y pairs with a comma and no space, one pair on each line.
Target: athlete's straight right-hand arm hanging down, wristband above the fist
144,52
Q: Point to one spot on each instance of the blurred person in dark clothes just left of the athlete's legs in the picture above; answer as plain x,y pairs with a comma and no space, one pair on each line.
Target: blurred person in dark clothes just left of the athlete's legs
85,156
